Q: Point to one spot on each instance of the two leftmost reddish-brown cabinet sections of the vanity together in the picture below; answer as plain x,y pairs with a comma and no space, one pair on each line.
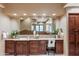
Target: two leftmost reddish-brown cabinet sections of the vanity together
16,47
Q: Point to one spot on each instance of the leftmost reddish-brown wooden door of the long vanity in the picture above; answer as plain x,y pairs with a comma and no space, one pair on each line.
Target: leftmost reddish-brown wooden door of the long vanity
9,47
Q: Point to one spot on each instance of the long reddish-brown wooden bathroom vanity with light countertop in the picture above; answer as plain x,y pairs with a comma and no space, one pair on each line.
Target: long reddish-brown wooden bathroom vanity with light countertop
31,46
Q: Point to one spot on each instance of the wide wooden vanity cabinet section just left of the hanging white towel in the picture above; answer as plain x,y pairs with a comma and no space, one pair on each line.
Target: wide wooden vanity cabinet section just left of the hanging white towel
38,47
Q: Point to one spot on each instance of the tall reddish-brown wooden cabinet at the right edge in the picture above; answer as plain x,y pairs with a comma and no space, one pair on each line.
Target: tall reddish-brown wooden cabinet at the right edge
73,20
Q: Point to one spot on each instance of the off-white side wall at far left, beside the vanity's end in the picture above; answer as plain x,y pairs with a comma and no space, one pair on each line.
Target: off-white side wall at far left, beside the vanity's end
4,26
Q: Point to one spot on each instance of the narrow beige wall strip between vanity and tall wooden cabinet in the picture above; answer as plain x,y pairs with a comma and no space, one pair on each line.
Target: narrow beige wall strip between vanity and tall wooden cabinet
63,25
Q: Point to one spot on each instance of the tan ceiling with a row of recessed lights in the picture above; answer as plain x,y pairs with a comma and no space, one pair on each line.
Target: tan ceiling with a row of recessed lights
30,8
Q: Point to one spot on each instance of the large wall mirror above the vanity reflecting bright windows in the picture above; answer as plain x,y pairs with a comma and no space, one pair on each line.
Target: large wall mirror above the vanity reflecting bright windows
39,24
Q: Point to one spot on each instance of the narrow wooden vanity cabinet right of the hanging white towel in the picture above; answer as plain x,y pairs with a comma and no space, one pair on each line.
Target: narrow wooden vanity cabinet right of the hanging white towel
59,46
